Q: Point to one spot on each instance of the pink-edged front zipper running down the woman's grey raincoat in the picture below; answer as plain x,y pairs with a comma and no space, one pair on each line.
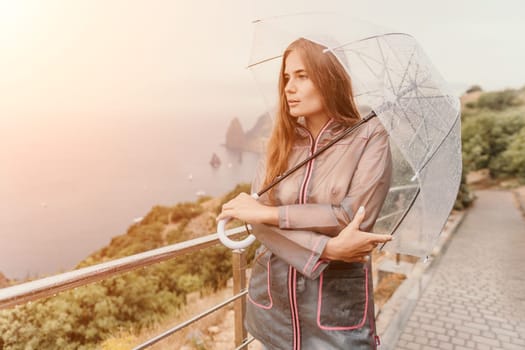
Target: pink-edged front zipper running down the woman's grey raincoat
292,281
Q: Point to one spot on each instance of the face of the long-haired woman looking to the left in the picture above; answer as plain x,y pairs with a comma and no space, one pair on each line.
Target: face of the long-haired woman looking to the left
302,96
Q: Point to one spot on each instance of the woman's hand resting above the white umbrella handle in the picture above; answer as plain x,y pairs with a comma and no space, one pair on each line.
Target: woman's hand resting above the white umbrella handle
246,208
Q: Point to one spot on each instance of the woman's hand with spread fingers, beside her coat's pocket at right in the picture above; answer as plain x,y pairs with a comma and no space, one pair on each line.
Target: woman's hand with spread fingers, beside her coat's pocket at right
352,244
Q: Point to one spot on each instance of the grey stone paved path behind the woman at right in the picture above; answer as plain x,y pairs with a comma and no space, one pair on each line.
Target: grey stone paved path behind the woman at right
476,298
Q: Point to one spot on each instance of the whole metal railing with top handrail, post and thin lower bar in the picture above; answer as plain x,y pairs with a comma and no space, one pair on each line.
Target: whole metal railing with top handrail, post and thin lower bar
49,286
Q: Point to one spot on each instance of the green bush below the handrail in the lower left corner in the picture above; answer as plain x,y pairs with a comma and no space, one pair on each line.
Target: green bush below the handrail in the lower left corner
83,317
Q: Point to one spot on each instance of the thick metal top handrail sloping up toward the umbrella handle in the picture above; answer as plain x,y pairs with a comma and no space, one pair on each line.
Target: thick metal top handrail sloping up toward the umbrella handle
48,286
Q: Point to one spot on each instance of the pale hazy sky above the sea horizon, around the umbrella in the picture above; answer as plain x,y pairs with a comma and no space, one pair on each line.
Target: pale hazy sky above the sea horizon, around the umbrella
120,58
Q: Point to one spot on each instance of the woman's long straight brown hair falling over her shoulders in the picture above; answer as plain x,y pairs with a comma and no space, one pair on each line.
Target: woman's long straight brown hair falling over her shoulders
334,85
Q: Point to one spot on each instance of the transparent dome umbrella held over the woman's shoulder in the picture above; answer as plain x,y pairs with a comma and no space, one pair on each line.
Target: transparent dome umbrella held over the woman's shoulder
394,81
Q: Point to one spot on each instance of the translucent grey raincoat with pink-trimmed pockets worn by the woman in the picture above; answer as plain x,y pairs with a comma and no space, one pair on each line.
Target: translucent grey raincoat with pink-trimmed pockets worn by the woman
296,299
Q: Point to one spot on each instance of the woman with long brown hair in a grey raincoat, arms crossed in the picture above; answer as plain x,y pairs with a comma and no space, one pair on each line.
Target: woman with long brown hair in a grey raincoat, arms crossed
311,285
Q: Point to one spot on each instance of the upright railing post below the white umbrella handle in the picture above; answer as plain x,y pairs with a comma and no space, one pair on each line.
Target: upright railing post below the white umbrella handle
239,284
